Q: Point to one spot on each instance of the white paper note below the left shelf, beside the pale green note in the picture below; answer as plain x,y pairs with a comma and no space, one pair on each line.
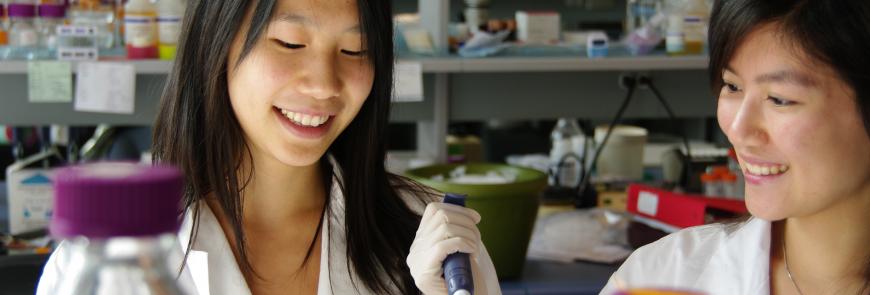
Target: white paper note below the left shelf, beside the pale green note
105,87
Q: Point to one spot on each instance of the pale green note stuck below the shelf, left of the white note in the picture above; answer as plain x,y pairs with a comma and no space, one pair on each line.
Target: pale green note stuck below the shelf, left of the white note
49,81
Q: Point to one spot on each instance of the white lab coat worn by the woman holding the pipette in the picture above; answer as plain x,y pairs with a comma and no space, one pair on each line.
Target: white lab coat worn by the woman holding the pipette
211,267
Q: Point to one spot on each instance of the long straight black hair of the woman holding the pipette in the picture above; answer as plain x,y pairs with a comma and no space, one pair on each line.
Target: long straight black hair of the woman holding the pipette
197,131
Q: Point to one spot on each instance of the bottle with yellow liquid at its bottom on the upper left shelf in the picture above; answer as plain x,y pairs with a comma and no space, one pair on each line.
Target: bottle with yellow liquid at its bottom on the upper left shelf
169,15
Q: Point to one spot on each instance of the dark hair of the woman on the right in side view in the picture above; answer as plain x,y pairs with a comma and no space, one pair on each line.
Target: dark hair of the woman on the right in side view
834,33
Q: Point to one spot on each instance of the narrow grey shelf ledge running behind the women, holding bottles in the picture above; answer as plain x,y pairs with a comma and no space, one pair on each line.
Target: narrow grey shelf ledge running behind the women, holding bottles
477,65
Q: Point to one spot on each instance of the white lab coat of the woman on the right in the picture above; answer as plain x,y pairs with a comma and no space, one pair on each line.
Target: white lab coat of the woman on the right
715,259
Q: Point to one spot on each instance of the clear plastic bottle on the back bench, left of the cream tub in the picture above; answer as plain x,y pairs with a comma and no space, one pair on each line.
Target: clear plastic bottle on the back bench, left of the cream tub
566,139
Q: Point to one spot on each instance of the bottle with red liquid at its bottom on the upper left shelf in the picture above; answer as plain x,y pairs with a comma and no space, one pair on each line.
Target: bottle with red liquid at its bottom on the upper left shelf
140,29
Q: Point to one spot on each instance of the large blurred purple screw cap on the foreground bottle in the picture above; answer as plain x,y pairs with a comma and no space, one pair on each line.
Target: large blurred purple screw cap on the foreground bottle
116,199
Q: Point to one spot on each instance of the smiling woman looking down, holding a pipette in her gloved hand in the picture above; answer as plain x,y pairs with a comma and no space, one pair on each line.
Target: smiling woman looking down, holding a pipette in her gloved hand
276,111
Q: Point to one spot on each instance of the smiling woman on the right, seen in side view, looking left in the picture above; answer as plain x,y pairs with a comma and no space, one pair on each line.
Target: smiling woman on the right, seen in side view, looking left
793,80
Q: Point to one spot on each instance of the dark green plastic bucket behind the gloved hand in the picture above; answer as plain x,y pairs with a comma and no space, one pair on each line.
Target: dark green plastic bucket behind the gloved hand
508,210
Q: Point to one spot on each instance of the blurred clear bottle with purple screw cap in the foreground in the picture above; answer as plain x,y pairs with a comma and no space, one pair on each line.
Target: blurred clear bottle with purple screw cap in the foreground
119,222
